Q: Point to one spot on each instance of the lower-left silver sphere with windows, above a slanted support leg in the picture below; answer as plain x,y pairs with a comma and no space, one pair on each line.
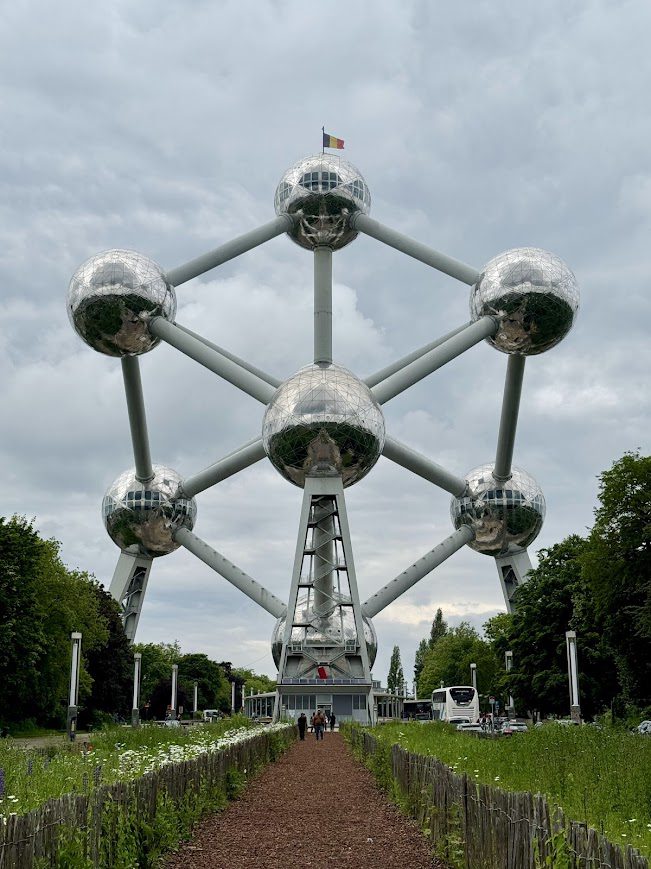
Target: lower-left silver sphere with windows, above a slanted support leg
141,518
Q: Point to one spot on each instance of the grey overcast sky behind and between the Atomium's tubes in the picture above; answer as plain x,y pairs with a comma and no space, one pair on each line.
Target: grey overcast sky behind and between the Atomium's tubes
165,127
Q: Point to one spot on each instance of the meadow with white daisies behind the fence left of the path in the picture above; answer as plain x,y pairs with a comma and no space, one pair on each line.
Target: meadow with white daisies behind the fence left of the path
32,776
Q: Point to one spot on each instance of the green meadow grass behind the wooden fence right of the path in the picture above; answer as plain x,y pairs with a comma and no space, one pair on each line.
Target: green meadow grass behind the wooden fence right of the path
602,777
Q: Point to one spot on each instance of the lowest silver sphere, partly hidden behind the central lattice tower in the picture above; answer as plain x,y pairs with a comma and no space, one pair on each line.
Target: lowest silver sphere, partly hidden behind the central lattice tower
329,631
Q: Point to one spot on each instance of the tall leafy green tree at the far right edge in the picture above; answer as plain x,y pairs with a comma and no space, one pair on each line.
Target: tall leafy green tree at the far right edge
617,566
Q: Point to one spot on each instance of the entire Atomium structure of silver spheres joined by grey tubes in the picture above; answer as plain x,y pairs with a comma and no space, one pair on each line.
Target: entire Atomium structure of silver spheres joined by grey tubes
322,429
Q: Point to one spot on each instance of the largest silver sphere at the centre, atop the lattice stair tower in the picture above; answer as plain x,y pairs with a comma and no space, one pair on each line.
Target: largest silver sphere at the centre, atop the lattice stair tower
323,421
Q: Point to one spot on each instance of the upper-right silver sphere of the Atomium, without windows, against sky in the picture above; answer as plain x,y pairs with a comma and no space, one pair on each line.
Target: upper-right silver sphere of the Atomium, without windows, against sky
534,293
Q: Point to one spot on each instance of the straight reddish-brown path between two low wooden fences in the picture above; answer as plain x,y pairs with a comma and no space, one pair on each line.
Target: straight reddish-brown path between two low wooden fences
317,806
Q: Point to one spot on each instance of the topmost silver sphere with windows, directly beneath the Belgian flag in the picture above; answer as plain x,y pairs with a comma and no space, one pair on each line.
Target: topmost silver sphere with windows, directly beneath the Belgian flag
323,192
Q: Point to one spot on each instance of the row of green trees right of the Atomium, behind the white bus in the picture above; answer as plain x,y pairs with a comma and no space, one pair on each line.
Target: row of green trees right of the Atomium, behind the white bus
598,585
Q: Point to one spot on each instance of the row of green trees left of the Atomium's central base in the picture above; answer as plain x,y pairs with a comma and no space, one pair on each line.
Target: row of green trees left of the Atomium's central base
42,602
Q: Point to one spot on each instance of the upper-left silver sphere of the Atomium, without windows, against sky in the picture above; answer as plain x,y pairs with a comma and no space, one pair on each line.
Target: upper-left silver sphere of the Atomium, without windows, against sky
112,296
